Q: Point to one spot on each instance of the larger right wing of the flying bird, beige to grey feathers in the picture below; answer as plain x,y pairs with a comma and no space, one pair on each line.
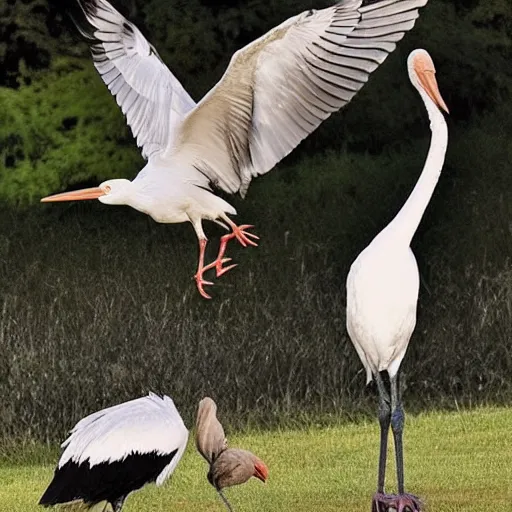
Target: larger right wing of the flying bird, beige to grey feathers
278,89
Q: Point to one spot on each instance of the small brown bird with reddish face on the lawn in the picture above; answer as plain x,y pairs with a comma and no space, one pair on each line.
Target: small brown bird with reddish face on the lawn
228,466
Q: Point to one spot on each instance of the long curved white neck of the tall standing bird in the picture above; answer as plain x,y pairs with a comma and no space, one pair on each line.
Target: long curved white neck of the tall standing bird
408,218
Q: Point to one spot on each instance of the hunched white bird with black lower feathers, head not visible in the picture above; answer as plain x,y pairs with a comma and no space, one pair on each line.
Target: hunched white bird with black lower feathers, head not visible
116,451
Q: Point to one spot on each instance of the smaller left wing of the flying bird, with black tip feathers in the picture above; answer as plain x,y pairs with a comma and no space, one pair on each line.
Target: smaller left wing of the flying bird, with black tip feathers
150,96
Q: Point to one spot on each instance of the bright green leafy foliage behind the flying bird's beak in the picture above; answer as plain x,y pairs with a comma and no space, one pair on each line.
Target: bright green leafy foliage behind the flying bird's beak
63,129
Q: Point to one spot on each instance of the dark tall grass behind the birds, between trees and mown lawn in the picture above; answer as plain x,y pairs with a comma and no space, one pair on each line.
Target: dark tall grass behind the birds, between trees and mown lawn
98,305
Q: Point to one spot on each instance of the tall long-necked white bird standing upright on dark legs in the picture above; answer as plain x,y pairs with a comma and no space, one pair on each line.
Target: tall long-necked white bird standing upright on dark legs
383,285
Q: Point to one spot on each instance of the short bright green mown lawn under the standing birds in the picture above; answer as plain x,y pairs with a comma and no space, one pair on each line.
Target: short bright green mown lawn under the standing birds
456,462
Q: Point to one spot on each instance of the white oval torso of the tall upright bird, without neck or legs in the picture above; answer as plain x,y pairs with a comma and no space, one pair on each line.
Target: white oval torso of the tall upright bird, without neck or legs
383,284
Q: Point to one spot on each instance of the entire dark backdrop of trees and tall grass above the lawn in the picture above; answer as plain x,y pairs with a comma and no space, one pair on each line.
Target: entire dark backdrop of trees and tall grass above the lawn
97,303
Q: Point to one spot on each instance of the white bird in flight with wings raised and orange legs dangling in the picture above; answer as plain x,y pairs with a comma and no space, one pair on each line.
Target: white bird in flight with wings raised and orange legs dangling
274,93
